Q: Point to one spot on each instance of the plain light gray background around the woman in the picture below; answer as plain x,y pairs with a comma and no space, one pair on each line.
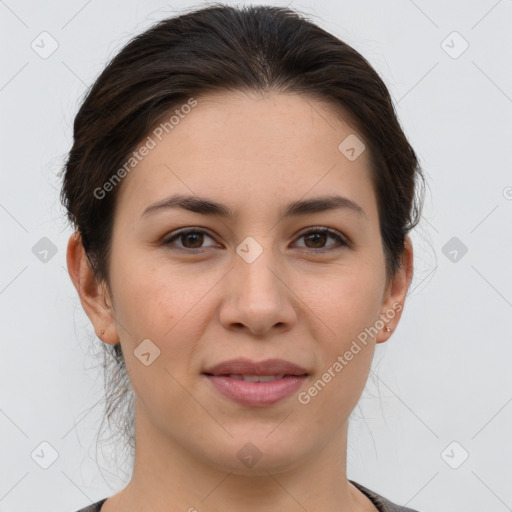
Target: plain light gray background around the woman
445,373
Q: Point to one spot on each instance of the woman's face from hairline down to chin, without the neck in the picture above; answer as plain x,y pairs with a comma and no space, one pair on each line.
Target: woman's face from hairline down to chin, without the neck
261,284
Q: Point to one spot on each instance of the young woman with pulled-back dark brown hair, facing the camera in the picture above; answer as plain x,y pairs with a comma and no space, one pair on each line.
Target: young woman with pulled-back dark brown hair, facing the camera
242,193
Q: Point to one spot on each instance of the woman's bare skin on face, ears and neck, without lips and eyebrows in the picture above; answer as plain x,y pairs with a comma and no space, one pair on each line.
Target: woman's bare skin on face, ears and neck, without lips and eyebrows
254,153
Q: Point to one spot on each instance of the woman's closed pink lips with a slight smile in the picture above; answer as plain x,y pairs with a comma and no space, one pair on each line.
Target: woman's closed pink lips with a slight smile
225,377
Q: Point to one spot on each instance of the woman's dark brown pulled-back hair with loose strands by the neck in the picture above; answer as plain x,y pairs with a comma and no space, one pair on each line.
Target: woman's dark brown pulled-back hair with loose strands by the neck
225,48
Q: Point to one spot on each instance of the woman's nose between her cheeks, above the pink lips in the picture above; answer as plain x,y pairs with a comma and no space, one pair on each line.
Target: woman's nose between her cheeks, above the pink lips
257,297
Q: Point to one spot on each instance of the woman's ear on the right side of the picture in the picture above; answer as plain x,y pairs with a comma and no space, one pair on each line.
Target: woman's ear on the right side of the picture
395,293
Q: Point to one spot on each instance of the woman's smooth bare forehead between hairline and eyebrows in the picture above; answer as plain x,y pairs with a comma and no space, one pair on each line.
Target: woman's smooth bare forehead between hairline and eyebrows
237,146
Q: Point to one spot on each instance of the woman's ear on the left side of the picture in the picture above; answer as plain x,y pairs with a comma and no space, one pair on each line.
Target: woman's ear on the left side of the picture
94,296
